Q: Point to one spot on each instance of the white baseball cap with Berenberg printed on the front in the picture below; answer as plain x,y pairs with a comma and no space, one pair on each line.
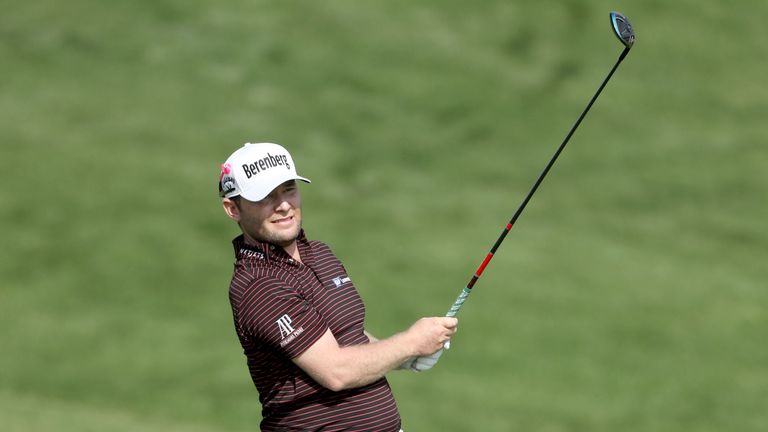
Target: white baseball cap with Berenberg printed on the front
255,170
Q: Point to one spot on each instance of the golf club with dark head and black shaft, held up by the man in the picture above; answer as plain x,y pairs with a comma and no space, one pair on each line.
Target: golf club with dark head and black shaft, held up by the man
623,30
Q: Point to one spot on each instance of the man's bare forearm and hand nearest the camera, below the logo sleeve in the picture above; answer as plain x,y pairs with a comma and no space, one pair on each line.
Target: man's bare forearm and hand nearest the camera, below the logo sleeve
338,368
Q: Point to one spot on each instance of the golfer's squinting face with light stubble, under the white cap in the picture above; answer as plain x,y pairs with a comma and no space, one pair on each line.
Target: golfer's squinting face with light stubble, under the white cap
275,219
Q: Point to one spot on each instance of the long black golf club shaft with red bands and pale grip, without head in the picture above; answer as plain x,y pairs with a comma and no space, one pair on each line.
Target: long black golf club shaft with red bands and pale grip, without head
479,272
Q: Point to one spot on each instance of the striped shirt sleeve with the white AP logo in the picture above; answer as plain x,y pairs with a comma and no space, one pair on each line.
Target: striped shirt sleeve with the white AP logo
276,315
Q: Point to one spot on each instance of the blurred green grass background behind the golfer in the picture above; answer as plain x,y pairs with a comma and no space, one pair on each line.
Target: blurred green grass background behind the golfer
630,296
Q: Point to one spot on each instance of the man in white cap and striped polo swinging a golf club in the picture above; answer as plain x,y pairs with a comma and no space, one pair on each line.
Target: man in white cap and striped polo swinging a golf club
299,318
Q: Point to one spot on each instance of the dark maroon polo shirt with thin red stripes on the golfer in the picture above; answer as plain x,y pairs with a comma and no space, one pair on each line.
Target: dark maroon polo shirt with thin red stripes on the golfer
280,308
